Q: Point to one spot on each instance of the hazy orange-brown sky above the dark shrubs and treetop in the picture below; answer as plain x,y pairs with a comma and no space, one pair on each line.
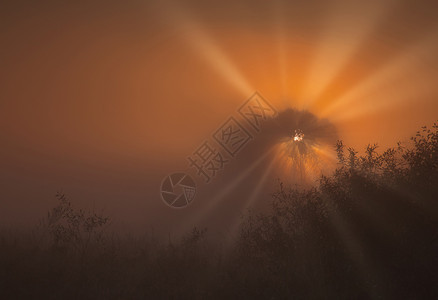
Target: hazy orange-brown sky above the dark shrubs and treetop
102,99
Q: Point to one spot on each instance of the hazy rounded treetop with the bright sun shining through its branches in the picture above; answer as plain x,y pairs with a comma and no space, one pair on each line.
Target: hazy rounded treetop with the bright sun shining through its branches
303,145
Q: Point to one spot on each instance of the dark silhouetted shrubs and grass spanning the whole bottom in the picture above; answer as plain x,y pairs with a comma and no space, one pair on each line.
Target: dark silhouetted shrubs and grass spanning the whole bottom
369,230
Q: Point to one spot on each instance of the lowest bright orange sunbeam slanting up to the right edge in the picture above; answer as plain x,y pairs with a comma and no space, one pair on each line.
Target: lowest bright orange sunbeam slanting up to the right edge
377,92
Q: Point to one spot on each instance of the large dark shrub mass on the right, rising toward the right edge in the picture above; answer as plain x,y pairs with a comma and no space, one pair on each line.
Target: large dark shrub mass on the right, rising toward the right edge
368,230
